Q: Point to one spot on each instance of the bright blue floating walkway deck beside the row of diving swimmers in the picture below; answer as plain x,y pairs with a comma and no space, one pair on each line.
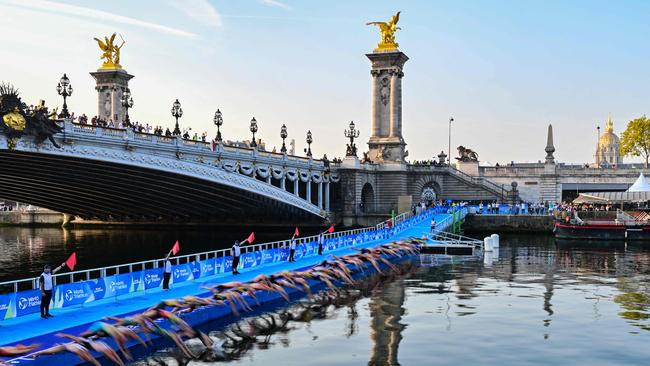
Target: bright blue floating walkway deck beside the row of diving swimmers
31,329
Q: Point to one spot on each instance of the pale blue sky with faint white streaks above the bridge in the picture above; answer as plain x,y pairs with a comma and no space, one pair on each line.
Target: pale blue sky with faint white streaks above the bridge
503,69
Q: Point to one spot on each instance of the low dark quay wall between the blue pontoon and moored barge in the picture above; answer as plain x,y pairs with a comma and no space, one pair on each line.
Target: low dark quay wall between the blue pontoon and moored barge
509,223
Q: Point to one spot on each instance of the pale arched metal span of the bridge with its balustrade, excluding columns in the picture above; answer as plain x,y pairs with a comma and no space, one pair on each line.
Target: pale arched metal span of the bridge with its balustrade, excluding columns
117,174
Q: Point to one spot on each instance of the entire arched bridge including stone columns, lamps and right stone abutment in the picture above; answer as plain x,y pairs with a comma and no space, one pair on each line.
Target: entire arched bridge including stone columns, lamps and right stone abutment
117,175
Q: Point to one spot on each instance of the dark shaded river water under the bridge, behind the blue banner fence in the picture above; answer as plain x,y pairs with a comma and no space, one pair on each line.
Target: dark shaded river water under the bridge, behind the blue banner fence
26,250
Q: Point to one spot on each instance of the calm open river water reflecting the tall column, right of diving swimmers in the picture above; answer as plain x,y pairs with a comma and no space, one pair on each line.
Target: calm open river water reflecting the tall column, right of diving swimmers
540,303
